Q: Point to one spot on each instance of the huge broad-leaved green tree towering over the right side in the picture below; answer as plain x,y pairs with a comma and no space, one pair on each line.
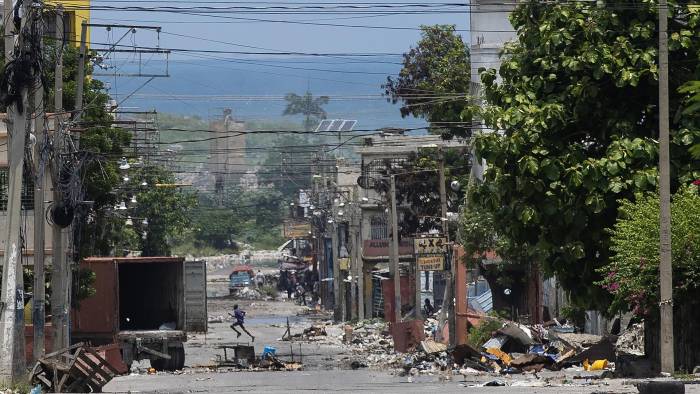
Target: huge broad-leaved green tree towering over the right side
576,113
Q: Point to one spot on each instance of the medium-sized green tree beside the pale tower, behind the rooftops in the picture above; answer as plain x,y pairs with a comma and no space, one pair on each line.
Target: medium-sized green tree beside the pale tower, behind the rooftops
434,80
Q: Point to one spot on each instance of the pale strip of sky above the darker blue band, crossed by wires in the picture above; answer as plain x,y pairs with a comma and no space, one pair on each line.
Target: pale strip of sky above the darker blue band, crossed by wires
282,36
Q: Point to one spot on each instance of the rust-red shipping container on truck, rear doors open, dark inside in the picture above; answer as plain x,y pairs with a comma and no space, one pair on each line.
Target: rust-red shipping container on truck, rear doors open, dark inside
146,304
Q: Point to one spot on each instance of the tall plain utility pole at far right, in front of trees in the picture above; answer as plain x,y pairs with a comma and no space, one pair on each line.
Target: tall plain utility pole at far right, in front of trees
665,266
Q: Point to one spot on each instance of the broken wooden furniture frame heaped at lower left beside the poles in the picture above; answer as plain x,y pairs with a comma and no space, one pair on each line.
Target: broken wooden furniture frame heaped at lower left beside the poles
76,369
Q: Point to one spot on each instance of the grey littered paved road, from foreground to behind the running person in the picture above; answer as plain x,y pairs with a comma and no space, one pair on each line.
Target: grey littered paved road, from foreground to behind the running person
326,366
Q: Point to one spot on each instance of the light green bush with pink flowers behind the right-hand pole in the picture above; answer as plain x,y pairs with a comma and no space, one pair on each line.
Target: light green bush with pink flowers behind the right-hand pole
632,275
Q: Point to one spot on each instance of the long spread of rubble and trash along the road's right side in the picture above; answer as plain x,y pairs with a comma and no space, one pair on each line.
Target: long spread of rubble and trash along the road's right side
512,349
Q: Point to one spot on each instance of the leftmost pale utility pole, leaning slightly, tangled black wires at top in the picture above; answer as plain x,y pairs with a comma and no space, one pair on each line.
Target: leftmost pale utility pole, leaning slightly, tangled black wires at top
12,362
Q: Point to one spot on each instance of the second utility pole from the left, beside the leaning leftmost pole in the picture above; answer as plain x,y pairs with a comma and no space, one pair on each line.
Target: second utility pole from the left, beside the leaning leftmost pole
38,311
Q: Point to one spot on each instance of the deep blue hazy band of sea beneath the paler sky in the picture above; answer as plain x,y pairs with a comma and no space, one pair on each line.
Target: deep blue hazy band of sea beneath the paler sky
253,88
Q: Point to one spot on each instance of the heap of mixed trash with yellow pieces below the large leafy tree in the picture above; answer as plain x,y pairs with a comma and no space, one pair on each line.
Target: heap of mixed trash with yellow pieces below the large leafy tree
513,349
